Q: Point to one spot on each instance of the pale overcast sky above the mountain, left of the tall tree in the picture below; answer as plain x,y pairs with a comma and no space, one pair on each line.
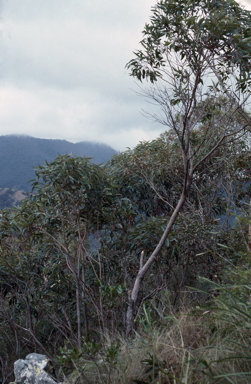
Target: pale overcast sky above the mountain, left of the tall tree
63,70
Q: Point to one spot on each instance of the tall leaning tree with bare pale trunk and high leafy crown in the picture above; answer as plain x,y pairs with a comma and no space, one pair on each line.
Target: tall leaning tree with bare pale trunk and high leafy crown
192,53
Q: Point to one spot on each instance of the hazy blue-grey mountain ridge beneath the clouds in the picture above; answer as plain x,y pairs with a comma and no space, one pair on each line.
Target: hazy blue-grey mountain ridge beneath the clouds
19,154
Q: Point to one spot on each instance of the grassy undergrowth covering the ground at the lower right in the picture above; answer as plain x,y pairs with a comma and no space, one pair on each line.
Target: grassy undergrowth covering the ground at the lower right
203,344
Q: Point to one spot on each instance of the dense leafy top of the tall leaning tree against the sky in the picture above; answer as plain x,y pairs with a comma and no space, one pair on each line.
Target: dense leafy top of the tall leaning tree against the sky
219,29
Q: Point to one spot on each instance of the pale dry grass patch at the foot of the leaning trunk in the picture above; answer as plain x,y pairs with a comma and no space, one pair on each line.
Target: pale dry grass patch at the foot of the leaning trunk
166,355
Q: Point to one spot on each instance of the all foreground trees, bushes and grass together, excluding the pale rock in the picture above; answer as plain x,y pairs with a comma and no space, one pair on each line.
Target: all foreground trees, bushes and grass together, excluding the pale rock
138,270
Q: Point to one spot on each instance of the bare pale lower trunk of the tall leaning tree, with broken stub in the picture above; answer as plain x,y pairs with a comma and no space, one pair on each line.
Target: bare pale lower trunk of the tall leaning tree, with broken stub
144,268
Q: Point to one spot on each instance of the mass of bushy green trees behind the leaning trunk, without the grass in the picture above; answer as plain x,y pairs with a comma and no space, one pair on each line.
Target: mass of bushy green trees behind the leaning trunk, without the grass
102,218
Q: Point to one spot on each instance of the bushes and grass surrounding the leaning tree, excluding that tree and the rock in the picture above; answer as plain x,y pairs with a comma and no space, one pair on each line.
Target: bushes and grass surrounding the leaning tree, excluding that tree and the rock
69,255
